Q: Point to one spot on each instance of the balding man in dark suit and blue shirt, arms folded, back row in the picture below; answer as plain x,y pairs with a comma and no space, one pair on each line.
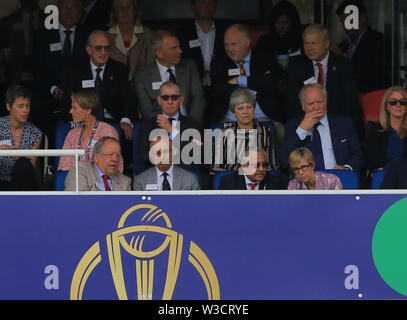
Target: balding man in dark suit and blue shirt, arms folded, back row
243,67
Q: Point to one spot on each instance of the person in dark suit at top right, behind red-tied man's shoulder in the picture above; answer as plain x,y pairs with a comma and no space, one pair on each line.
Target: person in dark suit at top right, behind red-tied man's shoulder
365,47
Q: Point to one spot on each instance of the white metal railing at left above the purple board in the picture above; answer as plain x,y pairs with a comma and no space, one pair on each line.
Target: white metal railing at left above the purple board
47,153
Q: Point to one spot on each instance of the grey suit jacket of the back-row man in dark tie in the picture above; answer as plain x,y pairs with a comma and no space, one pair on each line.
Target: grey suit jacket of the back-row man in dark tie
188,79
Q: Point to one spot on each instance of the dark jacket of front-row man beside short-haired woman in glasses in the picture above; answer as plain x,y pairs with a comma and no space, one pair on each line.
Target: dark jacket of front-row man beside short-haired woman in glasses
236,181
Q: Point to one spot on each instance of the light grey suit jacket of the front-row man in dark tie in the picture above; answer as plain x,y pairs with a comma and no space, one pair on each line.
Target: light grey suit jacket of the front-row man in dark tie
182,180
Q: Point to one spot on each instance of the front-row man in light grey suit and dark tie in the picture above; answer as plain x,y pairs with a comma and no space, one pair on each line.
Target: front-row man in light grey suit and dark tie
164,176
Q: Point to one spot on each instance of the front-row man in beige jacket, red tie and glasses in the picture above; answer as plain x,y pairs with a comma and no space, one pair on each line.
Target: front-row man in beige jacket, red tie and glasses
102,173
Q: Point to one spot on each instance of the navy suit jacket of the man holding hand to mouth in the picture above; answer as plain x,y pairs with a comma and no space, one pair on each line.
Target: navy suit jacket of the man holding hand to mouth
345,142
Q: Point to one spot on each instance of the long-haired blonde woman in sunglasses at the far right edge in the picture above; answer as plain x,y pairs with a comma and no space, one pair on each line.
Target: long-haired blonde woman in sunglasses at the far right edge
387,138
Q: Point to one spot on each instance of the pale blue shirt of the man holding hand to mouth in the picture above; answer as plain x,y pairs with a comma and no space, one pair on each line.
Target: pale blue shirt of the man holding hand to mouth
326,142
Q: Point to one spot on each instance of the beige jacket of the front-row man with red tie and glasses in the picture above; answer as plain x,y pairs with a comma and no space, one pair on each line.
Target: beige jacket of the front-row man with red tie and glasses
88,179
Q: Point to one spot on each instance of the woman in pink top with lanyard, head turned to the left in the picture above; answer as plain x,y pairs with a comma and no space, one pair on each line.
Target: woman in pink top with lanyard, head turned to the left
90,130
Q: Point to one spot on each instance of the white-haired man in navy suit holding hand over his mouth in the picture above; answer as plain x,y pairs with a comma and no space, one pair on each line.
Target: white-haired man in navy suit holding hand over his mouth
331,138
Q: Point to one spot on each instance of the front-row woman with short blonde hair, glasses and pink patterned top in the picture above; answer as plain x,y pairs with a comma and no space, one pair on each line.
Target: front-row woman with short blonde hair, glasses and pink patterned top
302,164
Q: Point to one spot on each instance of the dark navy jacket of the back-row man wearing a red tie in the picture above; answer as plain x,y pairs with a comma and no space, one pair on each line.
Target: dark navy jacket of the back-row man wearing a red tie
340,85
